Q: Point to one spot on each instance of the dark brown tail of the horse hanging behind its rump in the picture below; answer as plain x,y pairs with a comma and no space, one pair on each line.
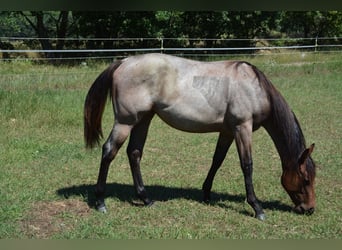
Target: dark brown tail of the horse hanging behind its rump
95,103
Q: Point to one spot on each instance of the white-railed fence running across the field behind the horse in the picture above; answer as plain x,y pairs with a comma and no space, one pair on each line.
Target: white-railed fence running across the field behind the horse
16,48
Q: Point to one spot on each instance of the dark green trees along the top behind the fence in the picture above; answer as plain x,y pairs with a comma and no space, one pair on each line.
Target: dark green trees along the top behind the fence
166,24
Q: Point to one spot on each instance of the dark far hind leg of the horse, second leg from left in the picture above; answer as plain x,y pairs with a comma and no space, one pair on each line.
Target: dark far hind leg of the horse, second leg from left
135,151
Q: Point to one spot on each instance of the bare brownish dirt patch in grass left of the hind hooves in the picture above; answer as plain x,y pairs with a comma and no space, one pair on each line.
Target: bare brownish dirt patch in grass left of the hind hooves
48,218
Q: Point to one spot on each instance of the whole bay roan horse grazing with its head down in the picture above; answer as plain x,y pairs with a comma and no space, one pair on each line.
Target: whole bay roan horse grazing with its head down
233,98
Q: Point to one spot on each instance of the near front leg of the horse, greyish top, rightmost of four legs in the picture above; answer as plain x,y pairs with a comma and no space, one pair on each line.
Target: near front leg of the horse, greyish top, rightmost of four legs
243,138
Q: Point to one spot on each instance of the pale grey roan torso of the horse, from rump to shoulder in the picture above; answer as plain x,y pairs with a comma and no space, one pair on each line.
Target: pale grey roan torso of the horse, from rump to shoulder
189,95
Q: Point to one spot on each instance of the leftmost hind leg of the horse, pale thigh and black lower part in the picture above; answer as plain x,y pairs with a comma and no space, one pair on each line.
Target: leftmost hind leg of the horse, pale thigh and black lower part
111,147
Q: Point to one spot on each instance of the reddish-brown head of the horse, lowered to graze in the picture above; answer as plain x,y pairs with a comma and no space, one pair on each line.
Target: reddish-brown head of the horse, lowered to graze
299,183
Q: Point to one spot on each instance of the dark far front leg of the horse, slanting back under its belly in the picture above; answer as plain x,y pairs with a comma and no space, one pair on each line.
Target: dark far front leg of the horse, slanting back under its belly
221,150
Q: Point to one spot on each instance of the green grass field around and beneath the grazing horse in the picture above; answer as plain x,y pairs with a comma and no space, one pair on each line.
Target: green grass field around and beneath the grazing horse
47,177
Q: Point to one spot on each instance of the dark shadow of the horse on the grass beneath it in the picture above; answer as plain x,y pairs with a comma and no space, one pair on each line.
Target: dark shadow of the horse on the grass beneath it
125,193
